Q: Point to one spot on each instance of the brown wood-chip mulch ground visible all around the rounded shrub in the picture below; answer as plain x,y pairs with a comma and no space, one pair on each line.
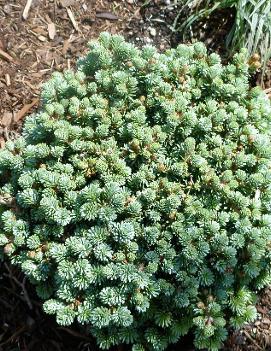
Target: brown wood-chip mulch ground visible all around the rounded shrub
52,36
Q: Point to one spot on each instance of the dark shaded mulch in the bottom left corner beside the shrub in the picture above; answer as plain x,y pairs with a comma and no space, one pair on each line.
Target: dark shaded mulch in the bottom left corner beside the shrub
23,324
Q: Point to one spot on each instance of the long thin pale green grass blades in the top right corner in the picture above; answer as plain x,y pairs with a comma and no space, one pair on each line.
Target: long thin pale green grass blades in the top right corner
251,28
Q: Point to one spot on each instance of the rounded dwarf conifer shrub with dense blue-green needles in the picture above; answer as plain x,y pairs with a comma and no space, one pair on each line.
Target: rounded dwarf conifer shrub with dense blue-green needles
138,199
